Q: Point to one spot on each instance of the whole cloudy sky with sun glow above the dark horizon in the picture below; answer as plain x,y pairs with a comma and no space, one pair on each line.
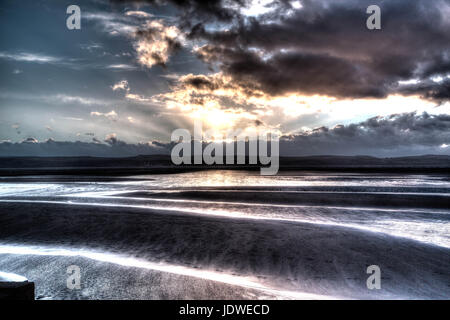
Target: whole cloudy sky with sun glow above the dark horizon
308,70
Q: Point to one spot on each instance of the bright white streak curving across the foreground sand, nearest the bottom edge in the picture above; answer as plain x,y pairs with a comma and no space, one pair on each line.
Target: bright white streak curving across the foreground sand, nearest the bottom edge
125,261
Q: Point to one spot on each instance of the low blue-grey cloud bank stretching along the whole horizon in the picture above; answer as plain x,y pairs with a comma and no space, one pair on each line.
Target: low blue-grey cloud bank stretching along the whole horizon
395,135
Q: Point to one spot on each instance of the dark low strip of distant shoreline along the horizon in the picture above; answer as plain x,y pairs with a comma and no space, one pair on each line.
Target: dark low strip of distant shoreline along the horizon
161,164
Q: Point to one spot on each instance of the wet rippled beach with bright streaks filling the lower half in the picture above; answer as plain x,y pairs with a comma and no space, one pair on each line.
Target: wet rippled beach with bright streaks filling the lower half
229,235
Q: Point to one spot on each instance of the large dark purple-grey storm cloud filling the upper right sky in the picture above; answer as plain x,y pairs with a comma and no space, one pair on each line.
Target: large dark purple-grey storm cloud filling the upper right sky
325,48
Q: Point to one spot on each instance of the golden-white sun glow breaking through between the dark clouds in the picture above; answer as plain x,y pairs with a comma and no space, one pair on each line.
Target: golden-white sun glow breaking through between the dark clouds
222,104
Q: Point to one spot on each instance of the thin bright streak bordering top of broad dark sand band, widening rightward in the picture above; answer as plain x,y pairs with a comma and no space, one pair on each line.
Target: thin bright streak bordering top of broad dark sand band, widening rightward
384,226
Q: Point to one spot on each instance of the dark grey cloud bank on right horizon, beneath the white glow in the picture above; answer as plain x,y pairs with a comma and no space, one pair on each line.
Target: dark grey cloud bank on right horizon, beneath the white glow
406,133
